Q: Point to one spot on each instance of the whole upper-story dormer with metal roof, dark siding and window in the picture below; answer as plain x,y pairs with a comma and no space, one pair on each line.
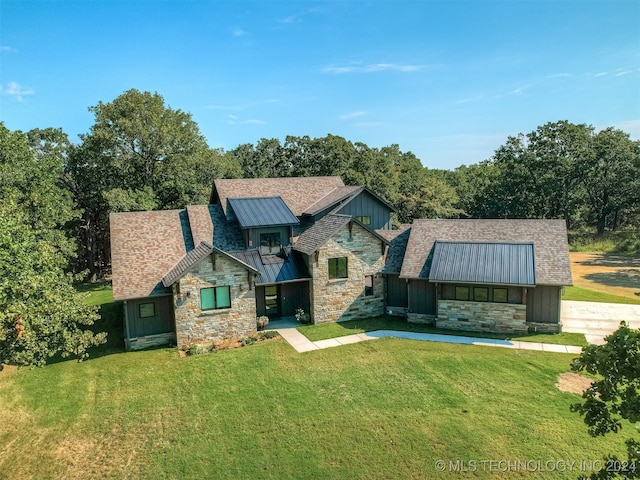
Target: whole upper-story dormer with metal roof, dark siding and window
266,222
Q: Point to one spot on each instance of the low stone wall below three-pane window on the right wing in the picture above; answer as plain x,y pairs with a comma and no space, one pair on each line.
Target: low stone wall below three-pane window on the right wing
482,316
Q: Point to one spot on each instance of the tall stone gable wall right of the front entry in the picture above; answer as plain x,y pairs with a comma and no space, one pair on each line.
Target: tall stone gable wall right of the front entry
343,299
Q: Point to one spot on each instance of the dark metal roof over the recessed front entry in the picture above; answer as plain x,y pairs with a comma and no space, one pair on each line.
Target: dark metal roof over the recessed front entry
272,268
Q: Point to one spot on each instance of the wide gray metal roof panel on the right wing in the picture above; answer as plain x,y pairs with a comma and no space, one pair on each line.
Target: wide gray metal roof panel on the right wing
480,262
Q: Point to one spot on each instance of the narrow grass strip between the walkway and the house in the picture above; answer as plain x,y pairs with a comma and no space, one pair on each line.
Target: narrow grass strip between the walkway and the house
332,330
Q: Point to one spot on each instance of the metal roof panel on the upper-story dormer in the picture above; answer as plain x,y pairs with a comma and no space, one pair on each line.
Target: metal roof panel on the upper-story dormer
262,212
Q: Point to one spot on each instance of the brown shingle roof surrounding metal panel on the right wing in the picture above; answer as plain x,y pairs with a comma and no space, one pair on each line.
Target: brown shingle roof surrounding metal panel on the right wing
548,236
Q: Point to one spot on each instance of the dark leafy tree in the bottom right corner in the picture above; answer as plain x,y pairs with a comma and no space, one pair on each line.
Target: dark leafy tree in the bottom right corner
614,396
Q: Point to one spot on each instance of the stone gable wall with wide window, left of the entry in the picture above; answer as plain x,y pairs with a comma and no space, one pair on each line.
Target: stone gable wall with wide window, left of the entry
193,325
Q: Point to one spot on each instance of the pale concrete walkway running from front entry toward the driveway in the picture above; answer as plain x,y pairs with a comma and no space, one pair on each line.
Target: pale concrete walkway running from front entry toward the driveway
303,344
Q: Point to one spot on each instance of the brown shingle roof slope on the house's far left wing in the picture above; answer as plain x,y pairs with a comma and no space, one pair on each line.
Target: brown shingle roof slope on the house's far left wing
144,246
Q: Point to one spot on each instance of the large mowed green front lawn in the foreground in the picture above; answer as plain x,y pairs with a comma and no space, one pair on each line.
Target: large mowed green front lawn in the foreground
383,409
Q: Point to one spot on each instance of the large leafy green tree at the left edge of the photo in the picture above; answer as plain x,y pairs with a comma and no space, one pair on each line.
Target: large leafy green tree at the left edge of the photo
40,313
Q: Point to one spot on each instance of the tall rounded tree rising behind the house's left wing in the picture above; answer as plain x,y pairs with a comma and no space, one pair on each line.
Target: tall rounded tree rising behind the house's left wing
140,154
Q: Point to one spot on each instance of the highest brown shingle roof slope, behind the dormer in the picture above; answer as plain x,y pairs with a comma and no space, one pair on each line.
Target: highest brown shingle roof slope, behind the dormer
298,193
